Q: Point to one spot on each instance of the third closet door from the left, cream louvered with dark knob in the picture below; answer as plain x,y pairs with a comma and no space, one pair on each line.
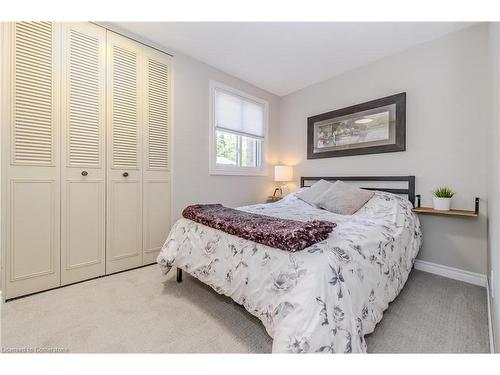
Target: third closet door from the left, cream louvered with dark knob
124,224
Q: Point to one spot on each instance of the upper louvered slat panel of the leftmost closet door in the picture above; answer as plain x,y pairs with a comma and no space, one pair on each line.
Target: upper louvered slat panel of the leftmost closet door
34,72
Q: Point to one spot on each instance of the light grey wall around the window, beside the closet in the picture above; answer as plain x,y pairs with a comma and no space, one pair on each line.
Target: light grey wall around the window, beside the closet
191,180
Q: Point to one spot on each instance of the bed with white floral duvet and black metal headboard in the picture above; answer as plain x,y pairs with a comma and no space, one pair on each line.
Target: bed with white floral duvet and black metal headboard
322,299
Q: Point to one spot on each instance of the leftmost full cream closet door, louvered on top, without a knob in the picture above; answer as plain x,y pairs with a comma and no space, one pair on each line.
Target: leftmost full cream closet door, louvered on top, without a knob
31,139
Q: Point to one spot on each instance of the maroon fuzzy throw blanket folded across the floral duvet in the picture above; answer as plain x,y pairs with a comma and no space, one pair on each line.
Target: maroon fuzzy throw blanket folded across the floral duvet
284,234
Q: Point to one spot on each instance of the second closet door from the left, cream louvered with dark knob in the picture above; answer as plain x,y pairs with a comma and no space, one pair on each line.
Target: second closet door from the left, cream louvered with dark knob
83,172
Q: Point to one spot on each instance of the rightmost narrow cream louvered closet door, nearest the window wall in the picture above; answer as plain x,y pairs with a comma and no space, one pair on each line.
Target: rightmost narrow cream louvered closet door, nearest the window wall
156,172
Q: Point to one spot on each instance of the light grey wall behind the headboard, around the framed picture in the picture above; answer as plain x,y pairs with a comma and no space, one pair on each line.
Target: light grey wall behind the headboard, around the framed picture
447,86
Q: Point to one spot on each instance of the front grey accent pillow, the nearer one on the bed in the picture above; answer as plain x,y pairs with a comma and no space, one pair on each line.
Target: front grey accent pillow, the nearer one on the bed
343,199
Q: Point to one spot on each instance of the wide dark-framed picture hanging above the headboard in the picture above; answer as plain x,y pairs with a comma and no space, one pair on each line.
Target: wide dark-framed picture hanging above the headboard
391,112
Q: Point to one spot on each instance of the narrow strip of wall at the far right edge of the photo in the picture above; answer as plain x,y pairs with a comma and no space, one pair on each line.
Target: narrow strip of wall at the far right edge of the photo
494,187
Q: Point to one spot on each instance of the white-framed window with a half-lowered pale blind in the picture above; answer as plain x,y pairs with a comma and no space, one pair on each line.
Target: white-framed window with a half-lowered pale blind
238,130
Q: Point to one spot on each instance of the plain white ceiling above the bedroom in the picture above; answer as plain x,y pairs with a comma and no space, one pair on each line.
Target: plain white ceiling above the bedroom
283,57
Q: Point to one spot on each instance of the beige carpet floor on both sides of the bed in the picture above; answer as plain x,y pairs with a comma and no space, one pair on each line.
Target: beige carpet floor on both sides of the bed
142,311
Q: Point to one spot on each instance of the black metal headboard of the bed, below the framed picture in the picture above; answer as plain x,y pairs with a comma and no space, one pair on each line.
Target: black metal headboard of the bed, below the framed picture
409,191
